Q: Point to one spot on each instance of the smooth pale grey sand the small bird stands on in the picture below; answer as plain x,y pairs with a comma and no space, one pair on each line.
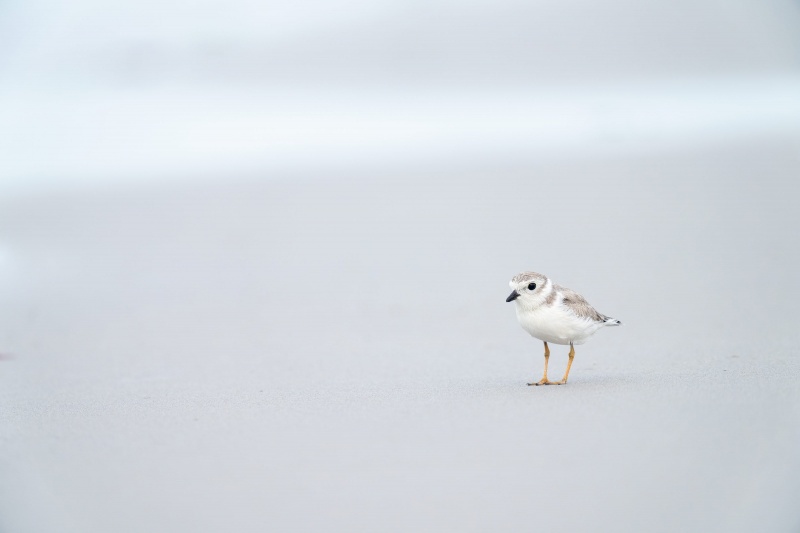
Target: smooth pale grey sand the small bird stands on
336,354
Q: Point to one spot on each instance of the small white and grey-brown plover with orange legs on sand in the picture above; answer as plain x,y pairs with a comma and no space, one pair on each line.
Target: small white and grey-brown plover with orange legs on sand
556,314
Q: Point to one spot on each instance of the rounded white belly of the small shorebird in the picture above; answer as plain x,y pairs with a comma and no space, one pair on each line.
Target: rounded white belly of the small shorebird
556,325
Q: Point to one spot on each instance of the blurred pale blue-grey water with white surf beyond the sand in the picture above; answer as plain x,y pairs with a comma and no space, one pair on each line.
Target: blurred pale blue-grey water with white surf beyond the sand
99,92
